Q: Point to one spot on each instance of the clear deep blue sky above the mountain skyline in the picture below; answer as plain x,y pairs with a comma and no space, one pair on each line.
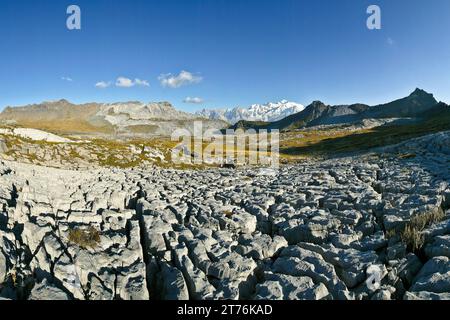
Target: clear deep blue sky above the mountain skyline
233,52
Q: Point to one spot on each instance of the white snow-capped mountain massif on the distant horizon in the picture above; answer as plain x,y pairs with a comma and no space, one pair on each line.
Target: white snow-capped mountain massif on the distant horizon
269,112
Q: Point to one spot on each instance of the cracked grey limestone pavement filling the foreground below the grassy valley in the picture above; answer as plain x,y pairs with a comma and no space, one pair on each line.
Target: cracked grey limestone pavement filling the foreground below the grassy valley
309,232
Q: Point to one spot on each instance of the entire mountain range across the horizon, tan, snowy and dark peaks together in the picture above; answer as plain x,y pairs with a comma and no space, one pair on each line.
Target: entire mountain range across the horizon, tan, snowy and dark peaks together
161,118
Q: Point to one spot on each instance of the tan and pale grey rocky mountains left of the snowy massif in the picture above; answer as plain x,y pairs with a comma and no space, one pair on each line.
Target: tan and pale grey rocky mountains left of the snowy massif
123,119
